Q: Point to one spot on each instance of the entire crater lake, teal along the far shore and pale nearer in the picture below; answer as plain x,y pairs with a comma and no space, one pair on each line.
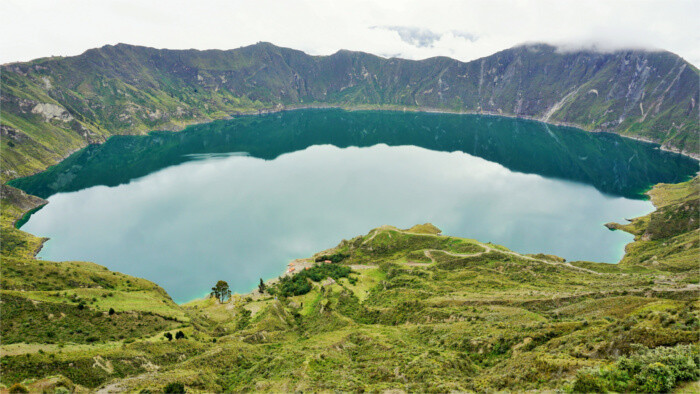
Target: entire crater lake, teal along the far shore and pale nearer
238,199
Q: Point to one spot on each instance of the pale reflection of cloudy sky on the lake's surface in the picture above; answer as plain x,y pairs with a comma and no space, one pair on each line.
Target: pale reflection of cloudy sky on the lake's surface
239,218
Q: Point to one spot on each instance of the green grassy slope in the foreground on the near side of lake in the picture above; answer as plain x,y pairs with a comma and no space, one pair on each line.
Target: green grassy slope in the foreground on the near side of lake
421,312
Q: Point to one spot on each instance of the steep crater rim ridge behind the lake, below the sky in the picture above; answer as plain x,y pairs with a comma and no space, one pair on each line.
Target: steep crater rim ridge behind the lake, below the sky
54,106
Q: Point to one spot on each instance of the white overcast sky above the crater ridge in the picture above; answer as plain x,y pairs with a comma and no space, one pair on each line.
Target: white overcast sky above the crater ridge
464,29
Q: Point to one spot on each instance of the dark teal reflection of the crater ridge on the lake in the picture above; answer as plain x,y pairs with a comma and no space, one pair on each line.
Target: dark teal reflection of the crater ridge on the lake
610,163
